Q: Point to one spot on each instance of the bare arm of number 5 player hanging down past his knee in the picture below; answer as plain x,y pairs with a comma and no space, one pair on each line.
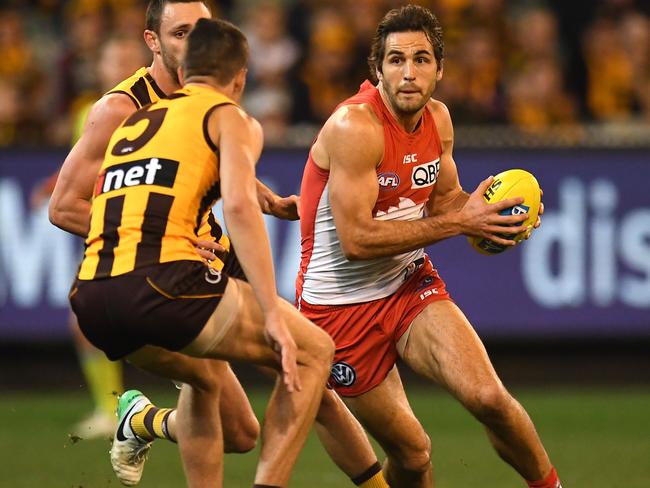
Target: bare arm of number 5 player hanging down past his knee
240,144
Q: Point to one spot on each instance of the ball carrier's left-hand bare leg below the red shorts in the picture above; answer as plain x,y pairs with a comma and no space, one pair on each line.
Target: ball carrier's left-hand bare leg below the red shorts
385,412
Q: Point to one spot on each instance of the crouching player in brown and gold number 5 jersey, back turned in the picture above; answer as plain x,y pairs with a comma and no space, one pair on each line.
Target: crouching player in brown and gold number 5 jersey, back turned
142,292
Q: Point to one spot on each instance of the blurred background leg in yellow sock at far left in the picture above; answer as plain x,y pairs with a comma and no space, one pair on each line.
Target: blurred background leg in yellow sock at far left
104,380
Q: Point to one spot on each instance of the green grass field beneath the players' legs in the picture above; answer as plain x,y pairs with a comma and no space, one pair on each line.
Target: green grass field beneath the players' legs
597,438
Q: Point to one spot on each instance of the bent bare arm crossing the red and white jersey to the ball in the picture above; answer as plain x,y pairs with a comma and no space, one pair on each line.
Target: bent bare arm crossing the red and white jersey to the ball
353,191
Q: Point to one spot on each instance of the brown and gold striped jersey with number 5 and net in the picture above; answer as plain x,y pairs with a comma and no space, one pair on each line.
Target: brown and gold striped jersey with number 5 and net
159,178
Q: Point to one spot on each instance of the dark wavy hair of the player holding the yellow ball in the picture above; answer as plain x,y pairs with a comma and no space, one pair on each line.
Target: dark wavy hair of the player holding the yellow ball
410,18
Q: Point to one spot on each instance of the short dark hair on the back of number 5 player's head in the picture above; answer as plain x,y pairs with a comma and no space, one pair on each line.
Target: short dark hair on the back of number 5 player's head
215,48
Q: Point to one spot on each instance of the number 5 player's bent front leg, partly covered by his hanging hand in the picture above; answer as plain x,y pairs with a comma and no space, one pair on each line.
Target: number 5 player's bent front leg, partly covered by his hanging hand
289,415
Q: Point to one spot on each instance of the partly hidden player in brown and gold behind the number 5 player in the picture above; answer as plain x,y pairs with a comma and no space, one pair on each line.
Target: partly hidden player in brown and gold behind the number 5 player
168,24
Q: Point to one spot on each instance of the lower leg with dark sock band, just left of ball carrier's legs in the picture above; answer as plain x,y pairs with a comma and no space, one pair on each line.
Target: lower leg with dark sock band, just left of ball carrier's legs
346,442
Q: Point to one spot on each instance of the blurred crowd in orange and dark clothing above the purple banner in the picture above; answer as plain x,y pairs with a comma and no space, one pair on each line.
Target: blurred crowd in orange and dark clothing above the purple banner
530,64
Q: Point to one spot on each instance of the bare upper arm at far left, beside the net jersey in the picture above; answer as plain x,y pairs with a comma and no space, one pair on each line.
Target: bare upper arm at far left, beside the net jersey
69,206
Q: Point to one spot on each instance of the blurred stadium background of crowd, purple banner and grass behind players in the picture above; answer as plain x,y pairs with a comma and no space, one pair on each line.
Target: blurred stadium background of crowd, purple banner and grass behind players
559,88
